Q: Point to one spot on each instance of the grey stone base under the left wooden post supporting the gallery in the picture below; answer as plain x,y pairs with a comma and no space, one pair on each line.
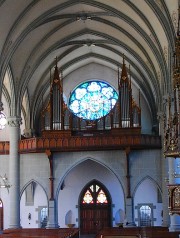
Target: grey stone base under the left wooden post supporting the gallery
52,221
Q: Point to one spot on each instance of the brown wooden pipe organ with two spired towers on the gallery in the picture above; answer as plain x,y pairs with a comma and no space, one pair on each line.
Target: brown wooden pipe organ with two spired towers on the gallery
59,121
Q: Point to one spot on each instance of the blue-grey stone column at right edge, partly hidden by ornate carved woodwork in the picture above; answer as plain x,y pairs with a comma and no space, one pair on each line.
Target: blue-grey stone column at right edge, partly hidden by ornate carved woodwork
174,219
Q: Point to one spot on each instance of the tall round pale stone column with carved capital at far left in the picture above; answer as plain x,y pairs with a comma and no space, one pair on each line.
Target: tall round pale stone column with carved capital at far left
14,173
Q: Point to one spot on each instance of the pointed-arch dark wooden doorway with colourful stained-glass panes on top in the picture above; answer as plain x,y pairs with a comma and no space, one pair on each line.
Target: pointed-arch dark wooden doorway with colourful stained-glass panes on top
95,208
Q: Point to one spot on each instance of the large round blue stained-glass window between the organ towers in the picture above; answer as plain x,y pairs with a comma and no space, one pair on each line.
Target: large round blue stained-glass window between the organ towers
92,100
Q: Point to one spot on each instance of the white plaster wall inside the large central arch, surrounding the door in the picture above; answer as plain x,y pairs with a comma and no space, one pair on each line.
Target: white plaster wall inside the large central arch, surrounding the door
77,179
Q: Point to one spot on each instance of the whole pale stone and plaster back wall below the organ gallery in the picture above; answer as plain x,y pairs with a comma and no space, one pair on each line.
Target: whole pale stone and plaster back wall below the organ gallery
76,169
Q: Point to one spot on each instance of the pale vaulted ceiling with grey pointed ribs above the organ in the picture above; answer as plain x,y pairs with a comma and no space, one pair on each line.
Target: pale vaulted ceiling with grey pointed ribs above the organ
81,32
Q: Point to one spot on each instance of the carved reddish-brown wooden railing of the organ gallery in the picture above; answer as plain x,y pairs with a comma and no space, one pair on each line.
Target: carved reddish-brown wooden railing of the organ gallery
79,143
